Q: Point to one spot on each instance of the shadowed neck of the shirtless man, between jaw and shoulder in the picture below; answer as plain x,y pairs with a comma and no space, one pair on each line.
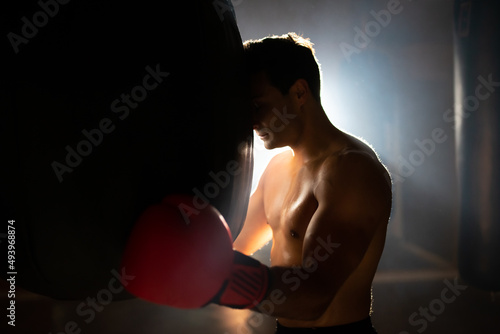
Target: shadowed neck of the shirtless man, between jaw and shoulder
319,136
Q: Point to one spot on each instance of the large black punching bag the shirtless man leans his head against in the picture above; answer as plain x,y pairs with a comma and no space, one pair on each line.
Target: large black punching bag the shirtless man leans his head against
106,108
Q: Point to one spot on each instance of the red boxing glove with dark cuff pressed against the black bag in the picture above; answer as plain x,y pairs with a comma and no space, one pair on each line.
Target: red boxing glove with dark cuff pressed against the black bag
185,259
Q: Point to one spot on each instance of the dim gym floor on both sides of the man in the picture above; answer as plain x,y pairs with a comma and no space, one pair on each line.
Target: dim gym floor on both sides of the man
409,281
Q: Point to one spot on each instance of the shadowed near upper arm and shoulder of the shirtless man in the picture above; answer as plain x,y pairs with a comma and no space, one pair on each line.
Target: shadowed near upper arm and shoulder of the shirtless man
353,200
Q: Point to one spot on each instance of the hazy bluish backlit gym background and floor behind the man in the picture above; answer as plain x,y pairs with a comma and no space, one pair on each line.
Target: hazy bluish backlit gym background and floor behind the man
393,93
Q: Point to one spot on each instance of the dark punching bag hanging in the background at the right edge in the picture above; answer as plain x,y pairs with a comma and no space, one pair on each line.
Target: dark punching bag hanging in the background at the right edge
477,101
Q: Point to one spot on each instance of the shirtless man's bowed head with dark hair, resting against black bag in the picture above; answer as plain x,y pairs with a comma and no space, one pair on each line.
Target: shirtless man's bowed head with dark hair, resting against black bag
285,79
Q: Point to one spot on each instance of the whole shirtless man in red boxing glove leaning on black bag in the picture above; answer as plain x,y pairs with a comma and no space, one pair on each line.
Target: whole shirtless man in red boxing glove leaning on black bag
325,203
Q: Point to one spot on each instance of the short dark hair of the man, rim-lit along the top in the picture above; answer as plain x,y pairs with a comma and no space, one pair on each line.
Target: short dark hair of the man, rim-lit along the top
284,59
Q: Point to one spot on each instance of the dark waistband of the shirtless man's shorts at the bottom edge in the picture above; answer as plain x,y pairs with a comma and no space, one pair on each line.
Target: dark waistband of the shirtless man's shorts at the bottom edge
359,327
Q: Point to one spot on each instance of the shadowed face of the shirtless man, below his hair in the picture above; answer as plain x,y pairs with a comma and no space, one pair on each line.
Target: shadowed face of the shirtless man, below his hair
273,113
